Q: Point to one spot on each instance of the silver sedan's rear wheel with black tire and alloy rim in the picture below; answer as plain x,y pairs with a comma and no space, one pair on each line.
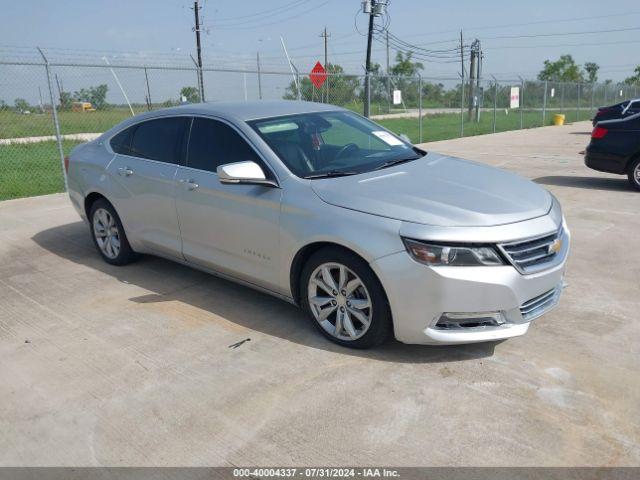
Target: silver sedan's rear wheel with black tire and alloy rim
108,234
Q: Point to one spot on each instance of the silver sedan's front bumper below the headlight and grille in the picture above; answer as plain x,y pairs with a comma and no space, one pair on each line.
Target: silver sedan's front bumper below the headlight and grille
419,295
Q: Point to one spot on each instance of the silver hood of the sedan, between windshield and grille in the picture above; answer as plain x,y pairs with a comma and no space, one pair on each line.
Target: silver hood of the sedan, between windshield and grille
439,190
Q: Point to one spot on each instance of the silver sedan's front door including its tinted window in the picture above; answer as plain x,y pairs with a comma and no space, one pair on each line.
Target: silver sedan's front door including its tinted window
231,228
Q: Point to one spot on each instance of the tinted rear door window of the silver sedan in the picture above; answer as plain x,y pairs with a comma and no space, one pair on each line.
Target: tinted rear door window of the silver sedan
159,139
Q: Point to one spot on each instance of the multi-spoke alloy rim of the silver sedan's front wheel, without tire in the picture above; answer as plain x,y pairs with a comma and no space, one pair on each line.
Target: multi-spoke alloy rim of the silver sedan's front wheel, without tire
339,301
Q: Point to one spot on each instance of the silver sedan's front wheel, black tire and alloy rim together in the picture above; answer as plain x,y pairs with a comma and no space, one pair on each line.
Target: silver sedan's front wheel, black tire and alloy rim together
341,314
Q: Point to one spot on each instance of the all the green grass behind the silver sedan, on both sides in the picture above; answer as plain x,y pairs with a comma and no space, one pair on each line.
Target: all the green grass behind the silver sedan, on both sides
34,169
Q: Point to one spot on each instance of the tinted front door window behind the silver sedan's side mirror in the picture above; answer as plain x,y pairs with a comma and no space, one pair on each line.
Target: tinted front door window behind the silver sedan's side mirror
213,143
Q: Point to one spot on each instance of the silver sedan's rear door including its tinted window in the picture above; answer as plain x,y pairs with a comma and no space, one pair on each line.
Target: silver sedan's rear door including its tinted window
145,166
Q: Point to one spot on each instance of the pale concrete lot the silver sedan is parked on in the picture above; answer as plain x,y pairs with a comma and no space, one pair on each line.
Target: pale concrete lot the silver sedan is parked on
101,365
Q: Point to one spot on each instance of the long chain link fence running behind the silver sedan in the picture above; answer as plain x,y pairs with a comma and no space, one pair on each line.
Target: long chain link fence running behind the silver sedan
47,109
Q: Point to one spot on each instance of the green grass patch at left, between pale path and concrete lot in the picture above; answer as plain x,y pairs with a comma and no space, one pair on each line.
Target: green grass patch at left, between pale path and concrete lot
31,169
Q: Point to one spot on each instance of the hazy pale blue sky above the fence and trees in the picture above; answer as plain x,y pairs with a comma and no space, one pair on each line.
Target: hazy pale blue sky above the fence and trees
516,36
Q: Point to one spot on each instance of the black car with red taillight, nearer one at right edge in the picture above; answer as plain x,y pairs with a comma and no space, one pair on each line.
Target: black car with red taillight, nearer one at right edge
615,148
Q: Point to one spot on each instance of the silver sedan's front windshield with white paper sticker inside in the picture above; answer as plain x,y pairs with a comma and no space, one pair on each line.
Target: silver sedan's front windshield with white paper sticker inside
316,145
